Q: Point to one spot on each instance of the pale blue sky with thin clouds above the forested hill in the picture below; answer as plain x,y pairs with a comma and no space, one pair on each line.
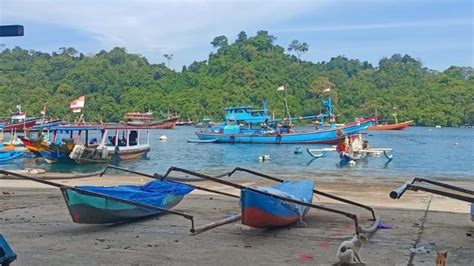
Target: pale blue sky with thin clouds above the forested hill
438,32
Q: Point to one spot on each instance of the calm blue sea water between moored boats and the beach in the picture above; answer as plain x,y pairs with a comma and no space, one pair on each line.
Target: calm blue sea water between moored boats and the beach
440,153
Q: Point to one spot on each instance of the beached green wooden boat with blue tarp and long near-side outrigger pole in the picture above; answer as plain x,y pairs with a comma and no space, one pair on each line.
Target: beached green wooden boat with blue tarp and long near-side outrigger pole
118,204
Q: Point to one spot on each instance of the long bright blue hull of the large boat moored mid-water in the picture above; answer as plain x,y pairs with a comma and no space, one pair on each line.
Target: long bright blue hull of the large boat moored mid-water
323,136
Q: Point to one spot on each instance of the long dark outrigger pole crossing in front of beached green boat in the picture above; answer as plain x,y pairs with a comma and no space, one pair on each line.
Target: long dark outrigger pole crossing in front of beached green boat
95,194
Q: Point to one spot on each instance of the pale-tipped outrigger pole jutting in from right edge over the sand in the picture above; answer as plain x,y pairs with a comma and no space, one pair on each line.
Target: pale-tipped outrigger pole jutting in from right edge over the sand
410,185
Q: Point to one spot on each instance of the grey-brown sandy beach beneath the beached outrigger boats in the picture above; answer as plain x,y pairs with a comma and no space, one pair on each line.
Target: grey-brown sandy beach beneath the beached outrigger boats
35,221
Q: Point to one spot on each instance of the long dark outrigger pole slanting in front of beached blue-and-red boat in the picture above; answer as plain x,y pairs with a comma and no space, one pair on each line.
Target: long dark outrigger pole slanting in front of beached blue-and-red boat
358,228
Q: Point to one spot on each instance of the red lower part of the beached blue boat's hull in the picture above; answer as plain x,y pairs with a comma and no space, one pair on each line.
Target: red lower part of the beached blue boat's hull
259,219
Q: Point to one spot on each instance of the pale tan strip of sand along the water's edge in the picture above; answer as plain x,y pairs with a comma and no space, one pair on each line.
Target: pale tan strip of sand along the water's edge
374,194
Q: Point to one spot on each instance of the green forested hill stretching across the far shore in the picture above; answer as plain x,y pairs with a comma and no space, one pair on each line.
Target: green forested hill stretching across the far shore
246,71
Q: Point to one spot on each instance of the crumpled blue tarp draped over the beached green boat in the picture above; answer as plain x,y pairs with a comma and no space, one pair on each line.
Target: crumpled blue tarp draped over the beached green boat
151,193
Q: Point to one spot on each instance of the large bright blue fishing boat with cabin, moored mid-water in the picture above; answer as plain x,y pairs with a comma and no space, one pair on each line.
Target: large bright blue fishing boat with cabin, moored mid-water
246,125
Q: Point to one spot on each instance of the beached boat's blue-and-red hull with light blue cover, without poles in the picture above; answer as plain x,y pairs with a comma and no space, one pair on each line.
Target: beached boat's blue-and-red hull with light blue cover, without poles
262,211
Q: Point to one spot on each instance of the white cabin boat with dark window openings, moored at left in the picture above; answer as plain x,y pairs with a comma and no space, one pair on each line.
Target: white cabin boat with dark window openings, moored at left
117,142
